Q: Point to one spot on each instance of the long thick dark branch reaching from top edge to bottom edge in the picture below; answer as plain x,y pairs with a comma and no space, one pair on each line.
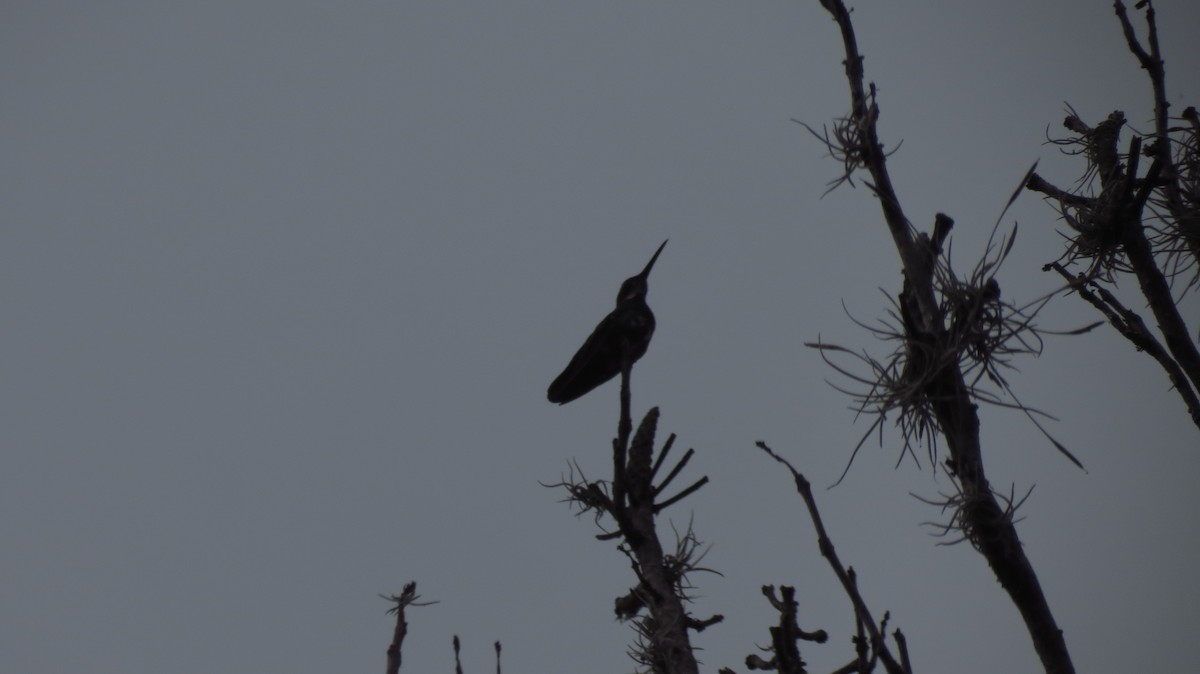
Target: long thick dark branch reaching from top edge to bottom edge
932,332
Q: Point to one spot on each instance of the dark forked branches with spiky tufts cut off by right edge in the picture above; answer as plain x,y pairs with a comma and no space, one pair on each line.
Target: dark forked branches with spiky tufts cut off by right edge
1126,222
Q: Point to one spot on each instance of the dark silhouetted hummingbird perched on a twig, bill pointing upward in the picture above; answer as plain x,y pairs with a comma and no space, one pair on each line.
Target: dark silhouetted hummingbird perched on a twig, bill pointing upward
621,339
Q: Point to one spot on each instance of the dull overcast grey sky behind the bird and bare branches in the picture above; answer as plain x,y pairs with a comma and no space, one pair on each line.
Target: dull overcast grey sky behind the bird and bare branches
284,286
